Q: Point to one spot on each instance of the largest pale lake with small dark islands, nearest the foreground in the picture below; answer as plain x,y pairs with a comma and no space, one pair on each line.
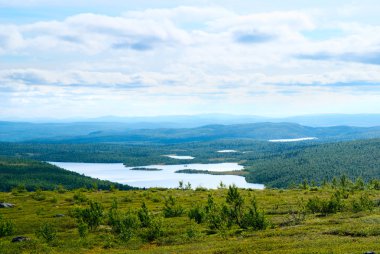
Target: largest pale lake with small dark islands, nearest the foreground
117,172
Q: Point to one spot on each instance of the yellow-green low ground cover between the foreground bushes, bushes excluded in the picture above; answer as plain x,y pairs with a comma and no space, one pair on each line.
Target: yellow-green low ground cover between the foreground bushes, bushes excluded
331,234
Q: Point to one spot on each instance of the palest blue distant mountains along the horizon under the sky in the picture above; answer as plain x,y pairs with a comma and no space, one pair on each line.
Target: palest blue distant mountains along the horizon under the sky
192,121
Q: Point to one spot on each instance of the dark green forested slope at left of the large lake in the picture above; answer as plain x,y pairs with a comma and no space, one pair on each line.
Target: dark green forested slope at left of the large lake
33,174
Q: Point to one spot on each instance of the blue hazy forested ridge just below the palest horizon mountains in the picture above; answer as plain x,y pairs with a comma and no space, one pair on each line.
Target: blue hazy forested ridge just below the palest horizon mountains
101,133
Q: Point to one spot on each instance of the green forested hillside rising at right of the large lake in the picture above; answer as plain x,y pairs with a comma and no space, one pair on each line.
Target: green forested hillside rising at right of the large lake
317,163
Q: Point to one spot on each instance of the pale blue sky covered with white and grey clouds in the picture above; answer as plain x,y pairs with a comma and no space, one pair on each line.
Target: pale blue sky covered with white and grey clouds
62,59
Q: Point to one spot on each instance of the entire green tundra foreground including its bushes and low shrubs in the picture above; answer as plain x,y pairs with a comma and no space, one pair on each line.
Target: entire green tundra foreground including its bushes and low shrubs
341,216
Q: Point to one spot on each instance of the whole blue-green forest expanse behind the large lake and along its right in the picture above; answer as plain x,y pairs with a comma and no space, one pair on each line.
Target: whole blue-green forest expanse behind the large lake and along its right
273,164
